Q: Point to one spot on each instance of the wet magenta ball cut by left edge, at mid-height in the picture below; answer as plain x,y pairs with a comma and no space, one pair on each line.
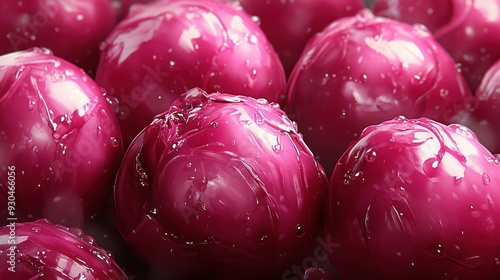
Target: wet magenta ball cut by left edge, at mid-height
58,136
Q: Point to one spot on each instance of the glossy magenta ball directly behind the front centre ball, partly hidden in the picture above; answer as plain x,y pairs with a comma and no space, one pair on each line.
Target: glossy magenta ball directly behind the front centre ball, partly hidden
165,48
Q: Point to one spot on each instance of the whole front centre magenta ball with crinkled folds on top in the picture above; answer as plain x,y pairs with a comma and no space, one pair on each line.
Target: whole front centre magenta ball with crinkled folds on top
218,186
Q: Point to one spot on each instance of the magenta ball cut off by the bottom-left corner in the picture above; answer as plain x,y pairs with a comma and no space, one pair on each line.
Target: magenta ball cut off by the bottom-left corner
43,250
